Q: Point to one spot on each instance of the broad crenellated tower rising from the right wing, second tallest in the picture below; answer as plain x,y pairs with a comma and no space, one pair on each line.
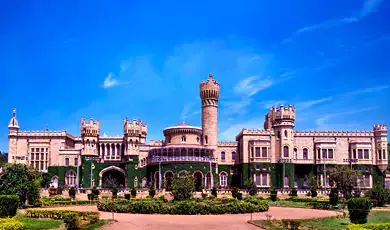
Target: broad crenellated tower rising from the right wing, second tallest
283,124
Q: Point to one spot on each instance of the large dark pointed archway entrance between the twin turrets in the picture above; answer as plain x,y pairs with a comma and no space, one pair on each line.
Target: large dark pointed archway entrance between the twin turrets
112,177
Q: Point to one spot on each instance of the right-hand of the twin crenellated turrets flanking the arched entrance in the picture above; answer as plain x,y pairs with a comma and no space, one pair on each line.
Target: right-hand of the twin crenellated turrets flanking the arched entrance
134,133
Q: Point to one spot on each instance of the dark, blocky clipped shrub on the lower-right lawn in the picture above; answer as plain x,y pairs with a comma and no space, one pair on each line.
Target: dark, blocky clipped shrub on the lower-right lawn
358,209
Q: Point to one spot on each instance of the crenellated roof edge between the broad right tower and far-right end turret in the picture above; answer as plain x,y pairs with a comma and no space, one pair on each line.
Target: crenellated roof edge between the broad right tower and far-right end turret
316,133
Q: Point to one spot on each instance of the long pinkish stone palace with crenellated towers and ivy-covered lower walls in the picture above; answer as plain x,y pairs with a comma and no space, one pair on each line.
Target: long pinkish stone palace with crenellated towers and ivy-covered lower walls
277,156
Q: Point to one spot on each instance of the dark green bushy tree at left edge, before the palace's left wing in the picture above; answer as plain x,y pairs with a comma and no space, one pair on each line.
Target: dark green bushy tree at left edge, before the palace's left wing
18,179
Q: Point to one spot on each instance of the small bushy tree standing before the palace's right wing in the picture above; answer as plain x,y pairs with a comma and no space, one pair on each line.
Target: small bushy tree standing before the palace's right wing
345,179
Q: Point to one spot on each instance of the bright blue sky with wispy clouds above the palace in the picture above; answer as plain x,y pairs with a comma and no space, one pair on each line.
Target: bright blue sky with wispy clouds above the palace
60,62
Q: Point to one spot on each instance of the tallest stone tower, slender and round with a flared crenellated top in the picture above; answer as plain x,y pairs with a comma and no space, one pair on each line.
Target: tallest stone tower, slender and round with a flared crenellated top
209,94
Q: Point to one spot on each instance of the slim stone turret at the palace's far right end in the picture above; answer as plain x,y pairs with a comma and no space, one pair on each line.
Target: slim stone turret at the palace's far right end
380,137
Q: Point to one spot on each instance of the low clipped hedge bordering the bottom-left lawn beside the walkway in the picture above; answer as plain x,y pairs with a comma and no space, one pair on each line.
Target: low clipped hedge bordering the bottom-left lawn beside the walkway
91,217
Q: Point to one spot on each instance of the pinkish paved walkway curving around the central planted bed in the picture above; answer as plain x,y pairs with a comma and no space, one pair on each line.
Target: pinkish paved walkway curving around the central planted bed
198,222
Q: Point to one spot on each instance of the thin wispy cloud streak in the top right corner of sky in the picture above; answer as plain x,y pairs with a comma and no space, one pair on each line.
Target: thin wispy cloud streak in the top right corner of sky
369,7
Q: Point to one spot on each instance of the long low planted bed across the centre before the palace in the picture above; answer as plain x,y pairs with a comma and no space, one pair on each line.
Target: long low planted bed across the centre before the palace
187,207
